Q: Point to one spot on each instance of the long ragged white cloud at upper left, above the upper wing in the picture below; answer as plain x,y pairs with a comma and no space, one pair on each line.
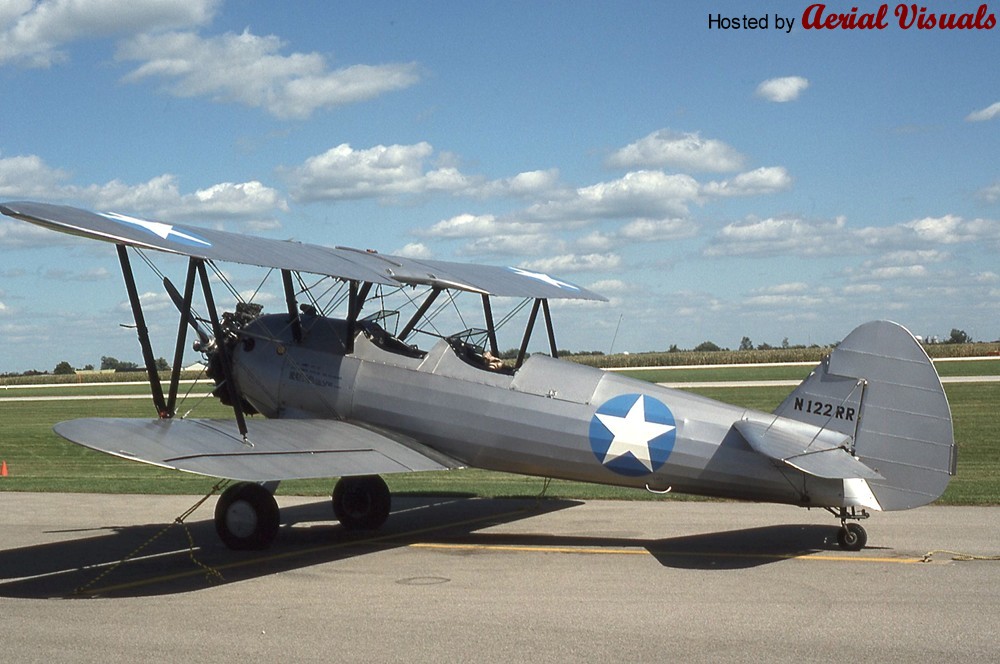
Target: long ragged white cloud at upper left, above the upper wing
248,69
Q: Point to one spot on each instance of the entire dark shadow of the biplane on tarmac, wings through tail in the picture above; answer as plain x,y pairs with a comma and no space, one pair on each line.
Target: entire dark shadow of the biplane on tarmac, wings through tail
171,559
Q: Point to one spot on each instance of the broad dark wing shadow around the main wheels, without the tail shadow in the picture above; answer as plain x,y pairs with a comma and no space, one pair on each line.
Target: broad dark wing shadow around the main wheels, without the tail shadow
170,559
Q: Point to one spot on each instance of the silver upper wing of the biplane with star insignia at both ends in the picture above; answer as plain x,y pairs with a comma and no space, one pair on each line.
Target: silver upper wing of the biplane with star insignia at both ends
338,262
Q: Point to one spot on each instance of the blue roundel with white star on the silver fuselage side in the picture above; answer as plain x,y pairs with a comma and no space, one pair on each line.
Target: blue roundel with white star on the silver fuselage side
633,434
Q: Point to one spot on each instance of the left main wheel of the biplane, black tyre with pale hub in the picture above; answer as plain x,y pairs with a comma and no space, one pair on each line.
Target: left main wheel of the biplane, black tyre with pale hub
246,517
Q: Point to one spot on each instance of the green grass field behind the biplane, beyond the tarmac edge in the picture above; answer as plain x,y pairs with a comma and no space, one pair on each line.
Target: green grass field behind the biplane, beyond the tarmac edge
38,460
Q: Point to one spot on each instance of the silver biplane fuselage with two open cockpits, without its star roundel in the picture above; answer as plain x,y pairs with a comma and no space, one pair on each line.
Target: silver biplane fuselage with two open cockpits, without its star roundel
535,421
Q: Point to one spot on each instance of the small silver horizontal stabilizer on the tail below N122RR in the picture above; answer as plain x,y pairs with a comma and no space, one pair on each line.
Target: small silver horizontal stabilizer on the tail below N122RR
822,453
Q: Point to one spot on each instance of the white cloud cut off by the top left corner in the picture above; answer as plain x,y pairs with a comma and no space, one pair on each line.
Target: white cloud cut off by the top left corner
32,33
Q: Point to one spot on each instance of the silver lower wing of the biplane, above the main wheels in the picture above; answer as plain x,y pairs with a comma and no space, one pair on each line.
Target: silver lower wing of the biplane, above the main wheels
281,449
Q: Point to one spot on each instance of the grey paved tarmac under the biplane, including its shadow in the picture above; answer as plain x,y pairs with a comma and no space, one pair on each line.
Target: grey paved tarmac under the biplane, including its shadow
459,579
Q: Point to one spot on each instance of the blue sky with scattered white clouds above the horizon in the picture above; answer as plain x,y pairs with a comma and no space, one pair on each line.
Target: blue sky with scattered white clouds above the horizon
713,184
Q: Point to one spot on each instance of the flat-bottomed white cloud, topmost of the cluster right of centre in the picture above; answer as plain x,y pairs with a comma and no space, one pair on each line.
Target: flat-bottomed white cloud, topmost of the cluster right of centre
687,151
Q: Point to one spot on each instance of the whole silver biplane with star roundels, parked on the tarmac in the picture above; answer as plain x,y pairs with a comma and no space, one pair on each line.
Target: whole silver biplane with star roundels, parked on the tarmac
341,388
